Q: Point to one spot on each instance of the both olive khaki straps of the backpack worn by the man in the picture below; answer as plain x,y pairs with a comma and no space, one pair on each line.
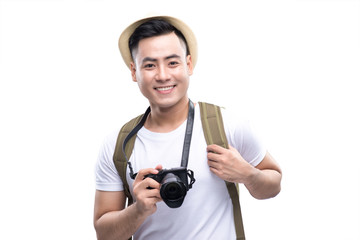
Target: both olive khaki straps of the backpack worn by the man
214,132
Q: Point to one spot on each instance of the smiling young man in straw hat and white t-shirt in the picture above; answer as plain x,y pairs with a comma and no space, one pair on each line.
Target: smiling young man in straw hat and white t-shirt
161,54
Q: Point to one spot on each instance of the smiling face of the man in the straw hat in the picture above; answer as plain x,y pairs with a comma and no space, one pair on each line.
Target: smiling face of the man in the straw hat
162,70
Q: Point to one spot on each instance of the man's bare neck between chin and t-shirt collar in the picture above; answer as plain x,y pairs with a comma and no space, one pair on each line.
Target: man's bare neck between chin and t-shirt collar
167,119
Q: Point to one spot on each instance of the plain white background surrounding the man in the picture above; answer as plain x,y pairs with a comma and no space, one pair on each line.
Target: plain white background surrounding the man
291,66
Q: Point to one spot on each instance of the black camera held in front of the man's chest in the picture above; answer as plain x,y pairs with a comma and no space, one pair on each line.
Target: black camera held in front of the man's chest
174,184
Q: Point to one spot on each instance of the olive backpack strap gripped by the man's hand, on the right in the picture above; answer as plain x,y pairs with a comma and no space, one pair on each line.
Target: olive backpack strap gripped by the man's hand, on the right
213,128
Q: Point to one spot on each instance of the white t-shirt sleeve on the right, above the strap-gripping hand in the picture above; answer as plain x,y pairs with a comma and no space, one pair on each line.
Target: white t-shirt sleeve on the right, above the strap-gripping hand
241,136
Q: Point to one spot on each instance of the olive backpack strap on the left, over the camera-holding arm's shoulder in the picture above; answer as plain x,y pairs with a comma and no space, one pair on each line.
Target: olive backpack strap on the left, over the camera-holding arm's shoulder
119,158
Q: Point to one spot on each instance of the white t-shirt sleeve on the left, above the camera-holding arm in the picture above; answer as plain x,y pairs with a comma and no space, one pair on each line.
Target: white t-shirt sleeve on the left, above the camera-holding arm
106,175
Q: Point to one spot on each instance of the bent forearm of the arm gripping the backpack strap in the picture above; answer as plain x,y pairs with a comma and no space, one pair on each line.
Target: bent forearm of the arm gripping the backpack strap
263,184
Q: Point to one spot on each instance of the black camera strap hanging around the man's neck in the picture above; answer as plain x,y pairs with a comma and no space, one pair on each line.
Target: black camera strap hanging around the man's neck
187,139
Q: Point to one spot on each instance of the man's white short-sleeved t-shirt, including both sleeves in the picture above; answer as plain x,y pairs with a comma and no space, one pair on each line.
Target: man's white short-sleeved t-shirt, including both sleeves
207,211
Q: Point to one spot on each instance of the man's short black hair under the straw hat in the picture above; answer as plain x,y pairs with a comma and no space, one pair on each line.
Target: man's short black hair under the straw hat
153,28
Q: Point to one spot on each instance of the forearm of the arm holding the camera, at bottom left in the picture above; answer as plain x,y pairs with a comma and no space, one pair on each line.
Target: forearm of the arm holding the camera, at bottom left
119,224
